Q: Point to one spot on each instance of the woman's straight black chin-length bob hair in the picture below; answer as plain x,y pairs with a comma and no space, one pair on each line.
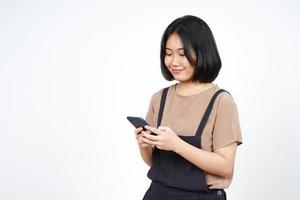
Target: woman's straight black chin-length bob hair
196,37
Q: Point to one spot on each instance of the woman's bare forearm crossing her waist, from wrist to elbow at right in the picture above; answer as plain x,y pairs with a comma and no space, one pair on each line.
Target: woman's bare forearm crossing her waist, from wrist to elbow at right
210,162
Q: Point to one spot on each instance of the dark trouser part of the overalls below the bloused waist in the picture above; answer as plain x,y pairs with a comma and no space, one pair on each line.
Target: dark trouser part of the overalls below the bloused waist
158,191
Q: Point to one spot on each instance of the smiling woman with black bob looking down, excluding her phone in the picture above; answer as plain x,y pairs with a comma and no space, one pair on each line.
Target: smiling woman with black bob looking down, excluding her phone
192,156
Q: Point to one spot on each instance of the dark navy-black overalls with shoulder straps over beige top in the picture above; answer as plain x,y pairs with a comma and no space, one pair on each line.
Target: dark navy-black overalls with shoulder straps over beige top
175,178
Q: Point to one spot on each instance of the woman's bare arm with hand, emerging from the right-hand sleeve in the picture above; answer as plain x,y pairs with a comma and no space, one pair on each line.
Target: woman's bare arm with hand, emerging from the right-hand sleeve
220,162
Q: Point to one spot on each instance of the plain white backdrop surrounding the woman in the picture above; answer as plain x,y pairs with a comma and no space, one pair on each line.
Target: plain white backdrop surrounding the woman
71,71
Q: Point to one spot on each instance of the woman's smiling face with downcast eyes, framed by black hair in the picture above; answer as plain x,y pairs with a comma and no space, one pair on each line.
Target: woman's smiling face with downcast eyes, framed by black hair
176,61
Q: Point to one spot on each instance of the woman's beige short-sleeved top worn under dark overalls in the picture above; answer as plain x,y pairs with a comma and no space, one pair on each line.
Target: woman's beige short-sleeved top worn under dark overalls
184,113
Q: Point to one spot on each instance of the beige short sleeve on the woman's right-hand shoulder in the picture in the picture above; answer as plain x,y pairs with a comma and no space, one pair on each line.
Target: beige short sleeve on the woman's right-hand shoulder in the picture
227,126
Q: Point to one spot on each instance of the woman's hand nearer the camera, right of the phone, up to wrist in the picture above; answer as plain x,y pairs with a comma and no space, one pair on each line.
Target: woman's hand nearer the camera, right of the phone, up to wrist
166,138
